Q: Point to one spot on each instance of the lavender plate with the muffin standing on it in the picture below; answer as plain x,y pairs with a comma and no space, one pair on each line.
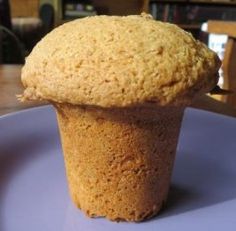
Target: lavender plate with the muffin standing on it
33,190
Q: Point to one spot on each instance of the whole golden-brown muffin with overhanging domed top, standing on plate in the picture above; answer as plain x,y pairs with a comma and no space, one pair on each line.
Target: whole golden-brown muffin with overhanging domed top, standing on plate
119,86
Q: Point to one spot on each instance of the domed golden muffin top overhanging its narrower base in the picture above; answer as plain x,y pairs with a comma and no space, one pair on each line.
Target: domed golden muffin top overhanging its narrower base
114,61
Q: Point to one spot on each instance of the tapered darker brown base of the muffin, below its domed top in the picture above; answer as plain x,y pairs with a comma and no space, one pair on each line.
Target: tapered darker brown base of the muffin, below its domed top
119,161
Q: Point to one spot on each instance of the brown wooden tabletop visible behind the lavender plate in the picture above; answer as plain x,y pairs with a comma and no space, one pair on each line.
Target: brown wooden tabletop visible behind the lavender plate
10,86
